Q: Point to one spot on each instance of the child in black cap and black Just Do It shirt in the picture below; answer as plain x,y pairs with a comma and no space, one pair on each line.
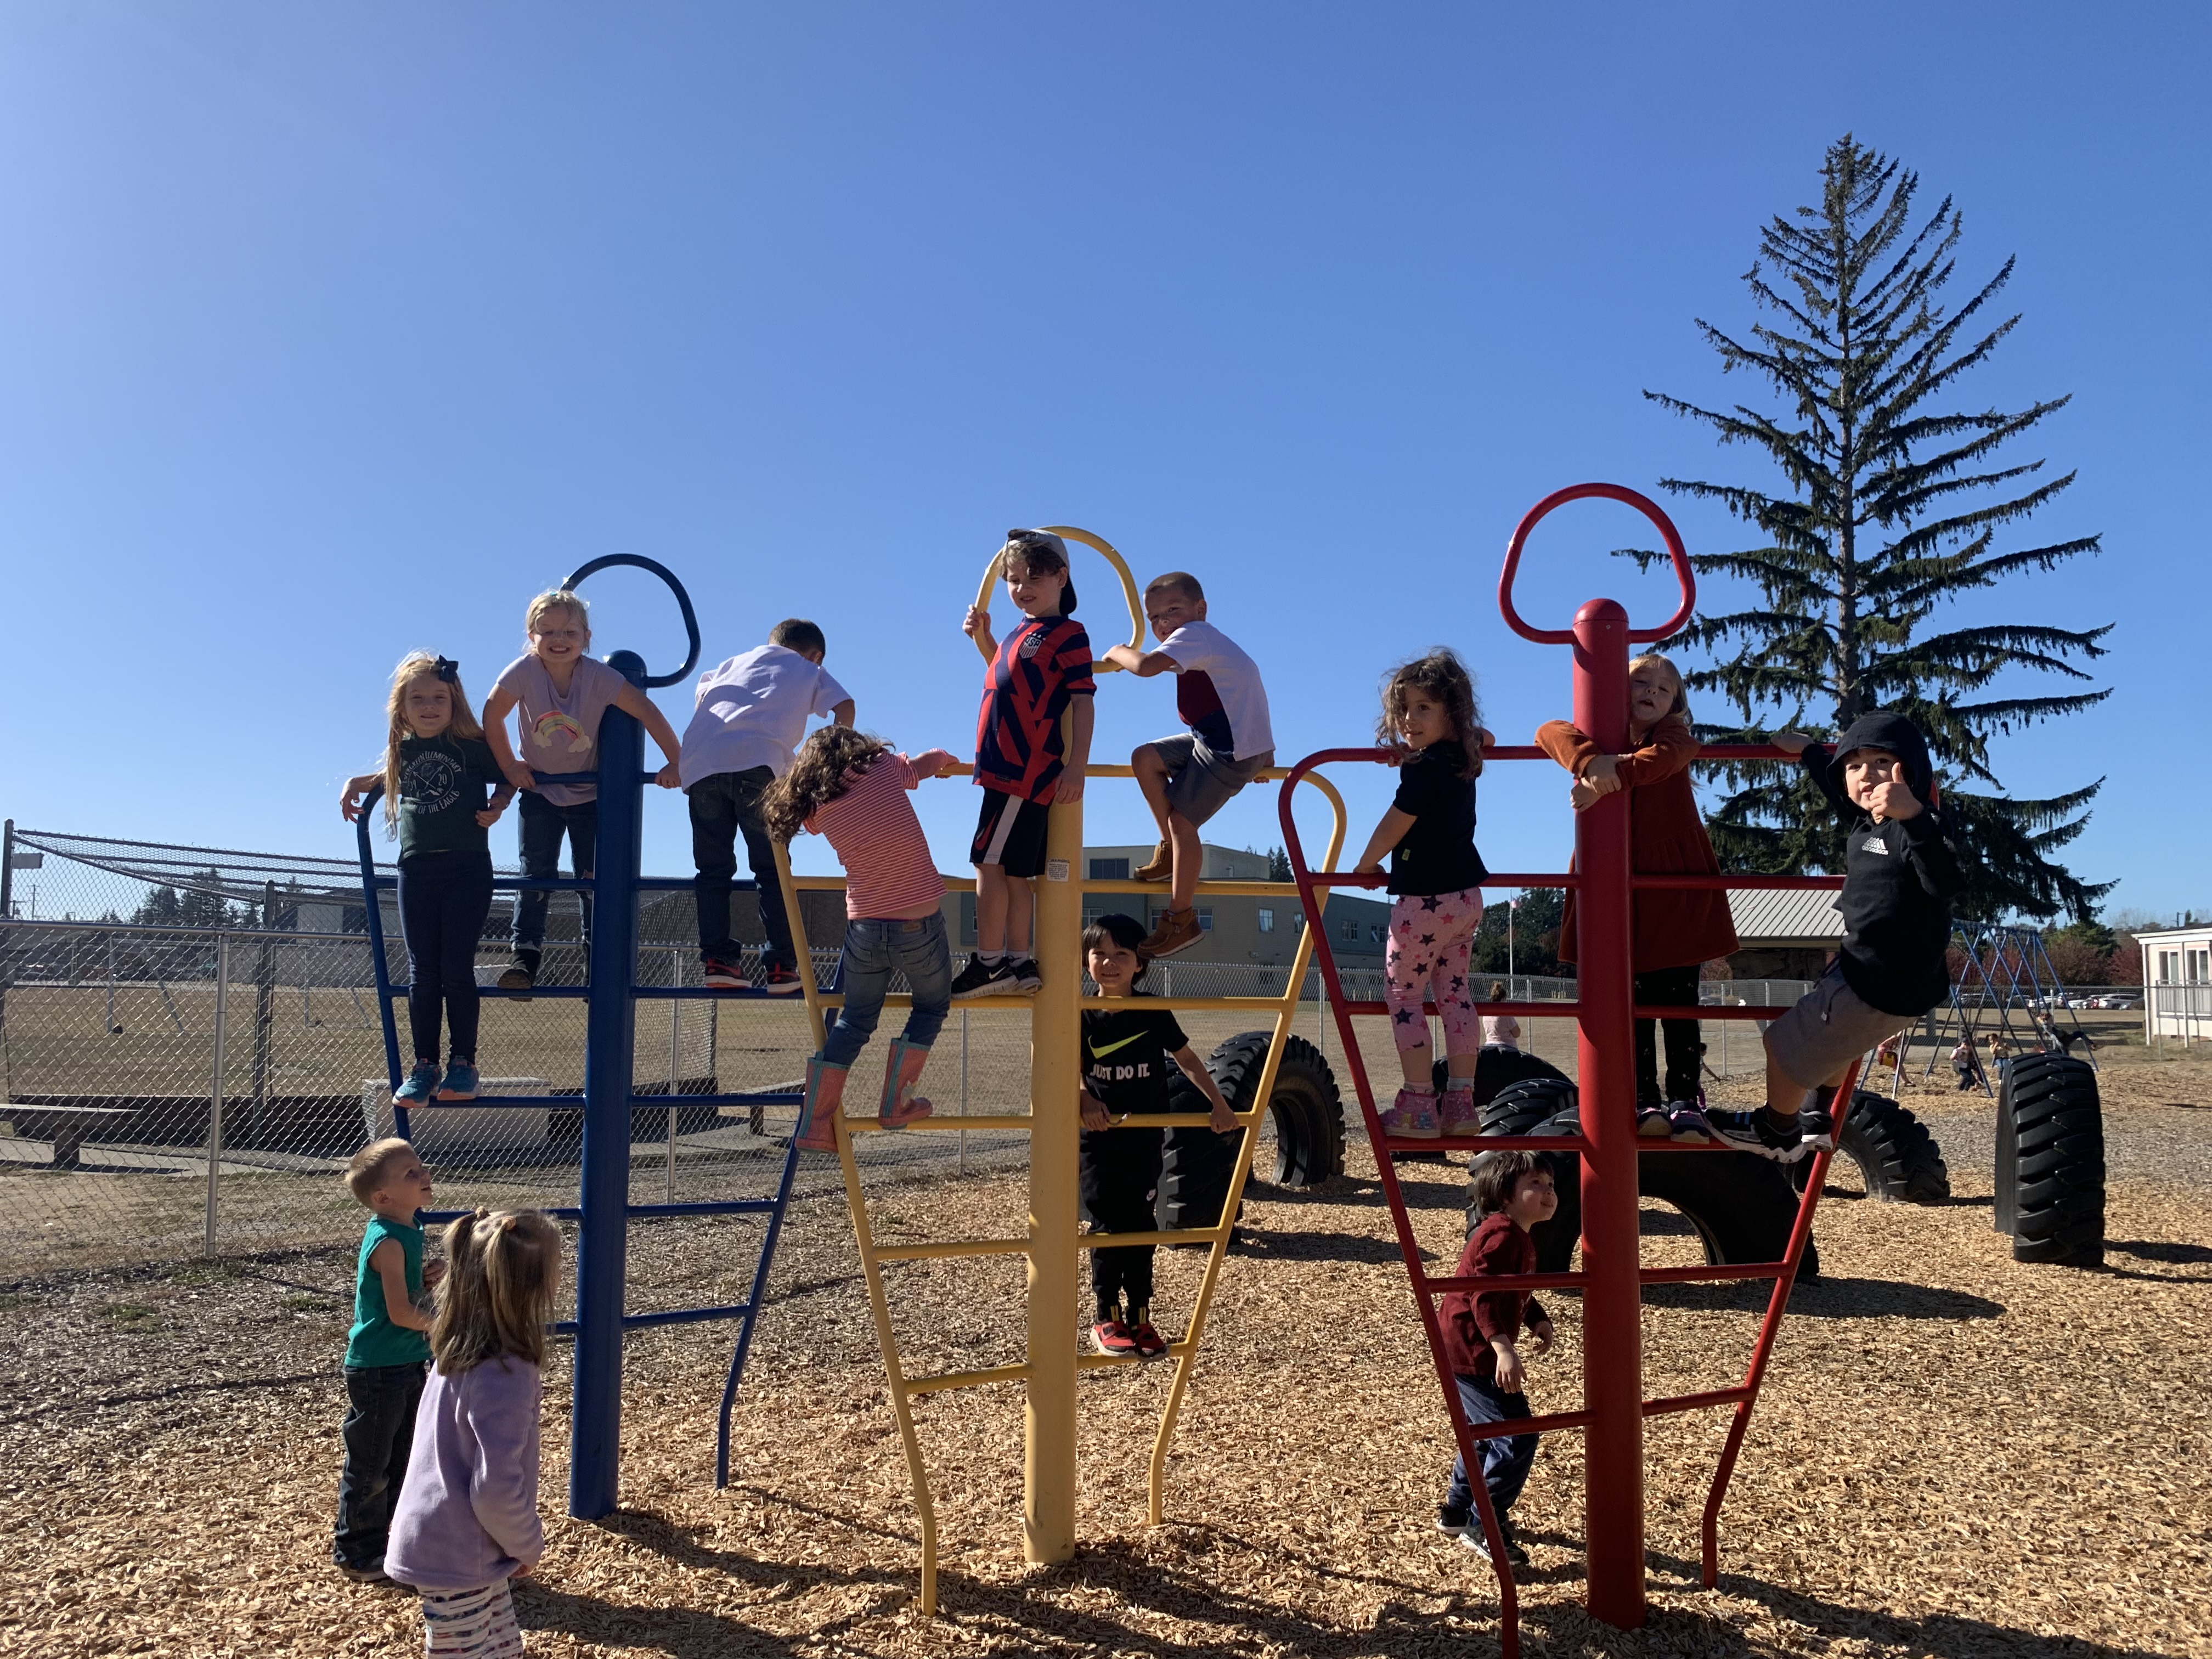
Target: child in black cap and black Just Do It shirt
1127,1072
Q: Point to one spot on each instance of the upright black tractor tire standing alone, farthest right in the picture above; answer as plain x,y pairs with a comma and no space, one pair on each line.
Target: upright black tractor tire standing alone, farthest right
2052,1160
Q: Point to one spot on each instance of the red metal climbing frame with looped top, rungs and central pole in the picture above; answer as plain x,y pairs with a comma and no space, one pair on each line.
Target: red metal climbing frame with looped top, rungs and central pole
1611,1275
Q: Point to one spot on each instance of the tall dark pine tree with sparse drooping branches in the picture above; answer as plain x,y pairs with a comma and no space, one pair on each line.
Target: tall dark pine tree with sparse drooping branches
1895,510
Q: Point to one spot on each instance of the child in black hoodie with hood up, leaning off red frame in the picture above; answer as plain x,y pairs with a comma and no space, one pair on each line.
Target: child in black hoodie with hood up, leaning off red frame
1899,879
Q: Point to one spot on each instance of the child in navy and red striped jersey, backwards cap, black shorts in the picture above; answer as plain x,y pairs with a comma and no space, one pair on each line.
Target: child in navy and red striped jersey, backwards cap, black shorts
1023,762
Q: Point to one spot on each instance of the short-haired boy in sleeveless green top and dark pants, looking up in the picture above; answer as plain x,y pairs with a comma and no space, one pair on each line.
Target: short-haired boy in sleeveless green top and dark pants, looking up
386,1353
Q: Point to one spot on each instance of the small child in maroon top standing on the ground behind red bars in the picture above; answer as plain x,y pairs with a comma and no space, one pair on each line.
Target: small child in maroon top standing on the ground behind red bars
1514,1193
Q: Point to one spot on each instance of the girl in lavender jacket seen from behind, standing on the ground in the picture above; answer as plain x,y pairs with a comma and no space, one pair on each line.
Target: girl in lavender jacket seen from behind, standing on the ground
468,1519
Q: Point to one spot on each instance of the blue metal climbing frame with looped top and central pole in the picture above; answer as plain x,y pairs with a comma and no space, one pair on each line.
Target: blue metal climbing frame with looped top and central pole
605,1211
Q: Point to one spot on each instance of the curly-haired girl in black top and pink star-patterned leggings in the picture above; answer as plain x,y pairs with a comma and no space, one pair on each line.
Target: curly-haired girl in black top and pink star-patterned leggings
1434,733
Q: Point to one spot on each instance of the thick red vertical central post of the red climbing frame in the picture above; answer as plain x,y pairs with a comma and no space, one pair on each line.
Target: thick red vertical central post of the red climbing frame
1611,1302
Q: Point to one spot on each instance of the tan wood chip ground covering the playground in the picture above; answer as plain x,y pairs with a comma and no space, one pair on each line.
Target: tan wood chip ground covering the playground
1957,1454
